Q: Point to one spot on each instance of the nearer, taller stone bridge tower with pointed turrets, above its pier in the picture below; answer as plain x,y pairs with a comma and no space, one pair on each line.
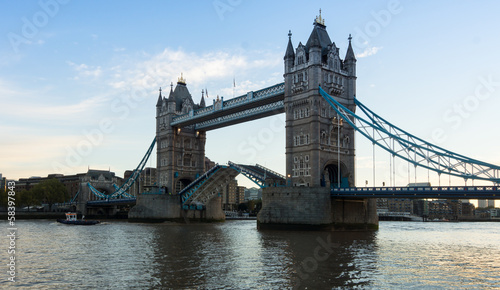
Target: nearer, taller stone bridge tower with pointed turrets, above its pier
319,147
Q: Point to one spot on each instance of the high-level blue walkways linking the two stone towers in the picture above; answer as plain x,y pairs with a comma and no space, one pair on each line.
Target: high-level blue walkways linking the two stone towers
253,105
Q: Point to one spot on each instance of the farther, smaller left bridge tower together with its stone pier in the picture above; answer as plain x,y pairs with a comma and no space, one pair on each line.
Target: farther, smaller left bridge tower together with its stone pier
180,154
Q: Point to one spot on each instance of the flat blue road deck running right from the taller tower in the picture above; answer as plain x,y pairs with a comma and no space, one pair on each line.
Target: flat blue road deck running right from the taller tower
448,192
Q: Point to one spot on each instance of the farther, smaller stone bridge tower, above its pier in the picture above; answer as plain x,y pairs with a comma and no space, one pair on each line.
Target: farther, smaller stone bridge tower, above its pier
180,151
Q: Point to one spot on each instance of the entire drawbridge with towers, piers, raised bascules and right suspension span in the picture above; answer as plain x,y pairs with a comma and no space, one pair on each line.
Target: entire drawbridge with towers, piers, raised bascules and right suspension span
318,97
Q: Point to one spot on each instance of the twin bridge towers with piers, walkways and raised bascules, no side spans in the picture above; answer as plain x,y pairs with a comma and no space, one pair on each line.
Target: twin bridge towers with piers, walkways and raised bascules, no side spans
320,151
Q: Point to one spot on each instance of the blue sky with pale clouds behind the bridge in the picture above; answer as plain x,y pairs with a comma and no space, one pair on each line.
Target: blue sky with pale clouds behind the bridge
79,80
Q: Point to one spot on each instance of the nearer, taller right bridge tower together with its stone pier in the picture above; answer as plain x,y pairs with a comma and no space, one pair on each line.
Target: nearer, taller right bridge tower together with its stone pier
319,147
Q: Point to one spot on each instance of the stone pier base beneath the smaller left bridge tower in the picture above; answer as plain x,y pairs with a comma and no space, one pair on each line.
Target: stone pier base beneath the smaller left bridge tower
163,207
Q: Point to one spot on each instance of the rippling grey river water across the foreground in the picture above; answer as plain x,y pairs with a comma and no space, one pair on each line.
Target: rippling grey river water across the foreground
235,255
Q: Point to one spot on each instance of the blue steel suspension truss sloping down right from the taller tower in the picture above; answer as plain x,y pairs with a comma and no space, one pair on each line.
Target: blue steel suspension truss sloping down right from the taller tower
411,148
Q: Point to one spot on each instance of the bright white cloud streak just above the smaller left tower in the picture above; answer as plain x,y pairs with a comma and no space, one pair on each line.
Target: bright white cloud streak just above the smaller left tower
213,69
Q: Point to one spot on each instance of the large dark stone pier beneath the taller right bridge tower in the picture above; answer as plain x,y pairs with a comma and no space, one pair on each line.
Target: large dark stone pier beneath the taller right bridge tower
312,208
